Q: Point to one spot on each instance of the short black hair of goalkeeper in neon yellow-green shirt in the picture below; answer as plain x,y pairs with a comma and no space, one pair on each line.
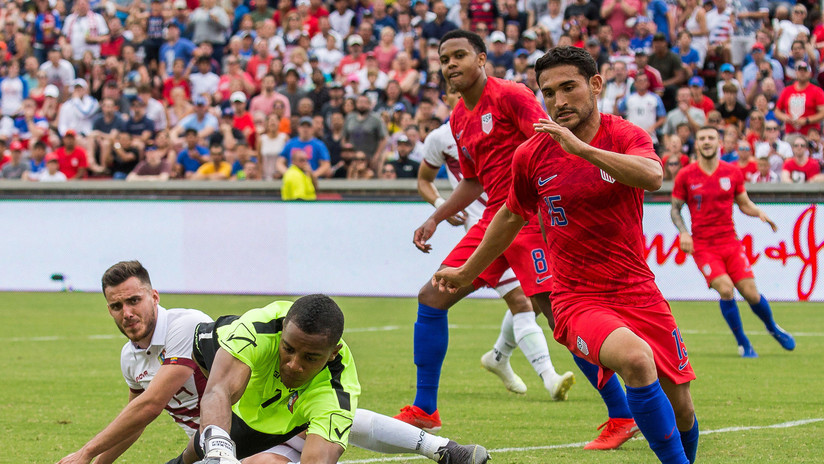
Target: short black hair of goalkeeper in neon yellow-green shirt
317,315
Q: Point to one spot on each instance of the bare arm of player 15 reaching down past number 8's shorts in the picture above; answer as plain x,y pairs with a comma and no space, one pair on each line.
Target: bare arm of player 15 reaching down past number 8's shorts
499,235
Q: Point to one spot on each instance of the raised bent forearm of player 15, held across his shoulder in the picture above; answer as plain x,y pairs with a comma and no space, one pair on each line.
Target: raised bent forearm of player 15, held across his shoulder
635,171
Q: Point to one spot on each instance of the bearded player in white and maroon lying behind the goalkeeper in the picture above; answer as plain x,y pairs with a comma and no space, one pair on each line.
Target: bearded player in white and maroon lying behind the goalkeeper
158,366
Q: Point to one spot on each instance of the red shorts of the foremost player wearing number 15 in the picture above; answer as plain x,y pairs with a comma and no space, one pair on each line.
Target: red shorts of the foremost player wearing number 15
583,325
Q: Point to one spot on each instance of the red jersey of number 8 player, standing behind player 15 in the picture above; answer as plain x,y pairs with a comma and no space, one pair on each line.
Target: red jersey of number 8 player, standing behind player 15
488,135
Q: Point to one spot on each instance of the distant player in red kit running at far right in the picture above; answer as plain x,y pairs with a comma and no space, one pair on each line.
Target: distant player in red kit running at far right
710,187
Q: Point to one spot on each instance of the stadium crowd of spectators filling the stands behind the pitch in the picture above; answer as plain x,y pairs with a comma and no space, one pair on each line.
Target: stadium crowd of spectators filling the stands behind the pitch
314,89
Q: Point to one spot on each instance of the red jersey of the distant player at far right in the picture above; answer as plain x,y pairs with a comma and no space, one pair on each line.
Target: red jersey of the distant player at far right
710,198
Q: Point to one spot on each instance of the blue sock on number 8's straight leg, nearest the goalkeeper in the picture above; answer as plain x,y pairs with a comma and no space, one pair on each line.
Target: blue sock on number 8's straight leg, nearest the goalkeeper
431,340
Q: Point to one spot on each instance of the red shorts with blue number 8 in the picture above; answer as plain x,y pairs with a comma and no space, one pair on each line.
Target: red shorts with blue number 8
526,256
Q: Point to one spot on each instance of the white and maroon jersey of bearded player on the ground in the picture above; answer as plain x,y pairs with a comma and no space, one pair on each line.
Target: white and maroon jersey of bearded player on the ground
171,344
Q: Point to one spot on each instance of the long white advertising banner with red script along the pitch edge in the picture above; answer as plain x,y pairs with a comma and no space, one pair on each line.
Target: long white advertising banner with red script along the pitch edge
337,248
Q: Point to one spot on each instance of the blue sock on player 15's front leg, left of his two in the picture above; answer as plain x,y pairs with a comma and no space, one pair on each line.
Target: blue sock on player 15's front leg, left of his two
655,418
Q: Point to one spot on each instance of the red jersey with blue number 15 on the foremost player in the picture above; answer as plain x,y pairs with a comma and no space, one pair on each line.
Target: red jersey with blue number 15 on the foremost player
593,223
